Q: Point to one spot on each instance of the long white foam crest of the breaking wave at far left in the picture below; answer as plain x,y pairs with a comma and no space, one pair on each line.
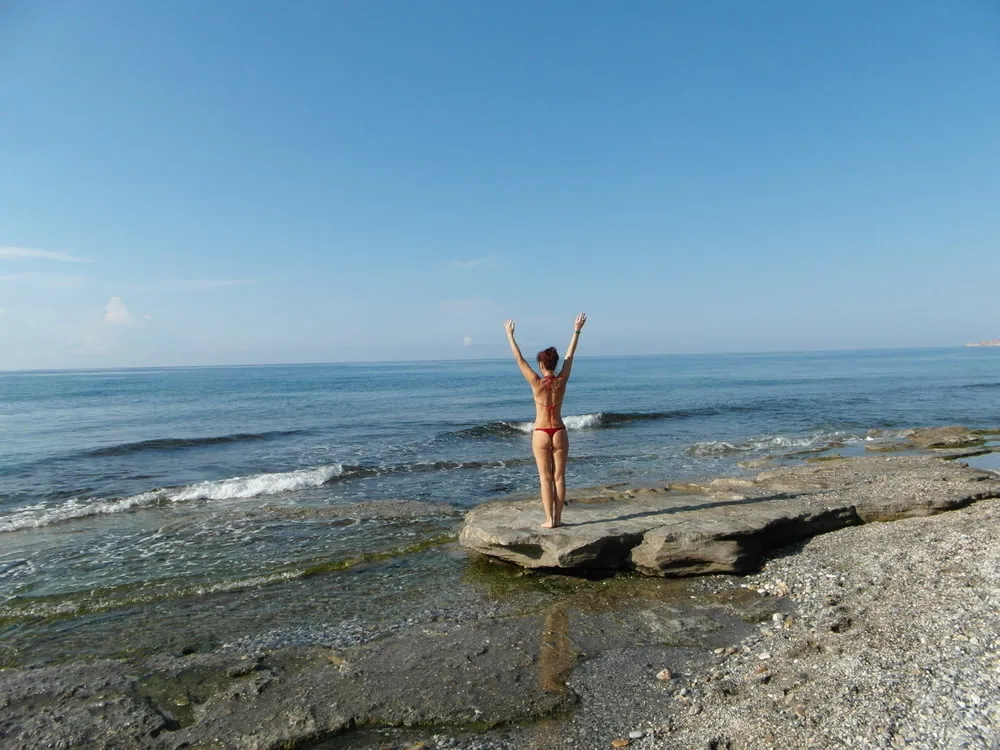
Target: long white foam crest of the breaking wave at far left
40,515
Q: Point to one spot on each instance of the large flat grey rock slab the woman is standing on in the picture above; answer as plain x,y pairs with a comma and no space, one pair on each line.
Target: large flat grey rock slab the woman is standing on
726,525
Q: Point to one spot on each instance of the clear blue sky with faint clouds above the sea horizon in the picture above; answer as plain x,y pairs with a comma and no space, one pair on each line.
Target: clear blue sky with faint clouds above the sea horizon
251,182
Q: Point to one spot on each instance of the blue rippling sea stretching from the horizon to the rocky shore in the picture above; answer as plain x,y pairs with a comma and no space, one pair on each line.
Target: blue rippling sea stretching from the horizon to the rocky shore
196,508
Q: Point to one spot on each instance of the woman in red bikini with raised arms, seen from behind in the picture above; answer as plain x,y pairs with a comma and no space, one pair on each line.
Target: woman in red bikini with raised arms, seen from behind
549,441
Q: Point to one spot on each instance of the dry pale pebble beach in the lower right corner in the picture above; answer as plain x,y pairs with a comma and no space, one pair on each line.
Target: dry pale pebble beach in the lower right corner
891,638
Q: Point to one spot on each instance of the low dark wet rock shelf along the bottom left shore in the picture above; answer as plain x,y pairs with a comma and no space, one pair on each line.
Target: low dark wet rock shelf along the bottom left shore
482,675
